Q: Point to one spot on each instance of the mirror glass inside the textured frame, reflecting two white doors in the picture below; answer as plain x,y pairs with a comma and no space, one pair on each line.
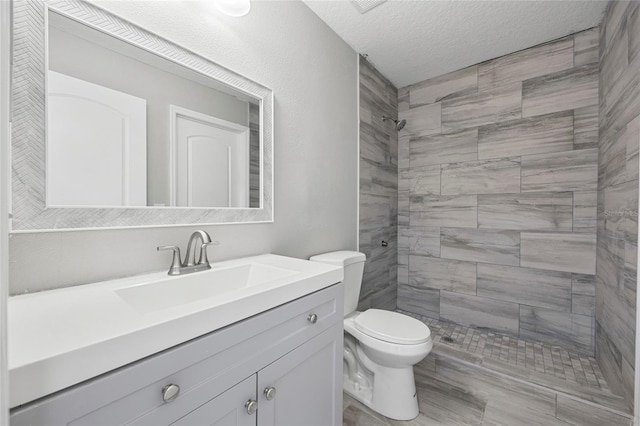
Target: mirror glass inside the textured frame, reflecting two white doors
95,130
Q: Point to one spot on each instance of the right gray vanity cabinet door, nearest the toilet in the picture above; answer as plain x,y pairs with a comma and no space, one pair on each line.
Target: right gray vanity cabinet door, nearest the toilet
307,382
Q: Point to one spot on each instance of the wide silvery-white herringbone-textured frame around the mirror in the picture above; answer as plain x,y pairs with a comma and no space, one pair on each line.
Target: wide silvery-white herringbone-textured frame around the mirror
28,92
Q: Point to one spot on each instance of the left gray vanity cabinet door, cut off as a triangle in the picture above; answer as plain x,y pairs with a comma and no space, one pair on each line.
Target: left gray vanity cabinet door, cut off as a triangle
227,409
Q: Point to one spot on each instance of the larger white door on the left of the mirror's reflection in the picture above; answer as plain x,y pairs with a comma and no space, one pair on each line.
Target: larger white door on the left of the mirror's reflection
96,145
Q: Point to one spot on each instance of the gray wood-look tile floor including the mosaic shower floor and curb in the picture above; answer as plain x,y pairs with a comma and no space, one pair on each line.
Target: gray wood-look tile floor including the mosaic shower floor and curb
475,377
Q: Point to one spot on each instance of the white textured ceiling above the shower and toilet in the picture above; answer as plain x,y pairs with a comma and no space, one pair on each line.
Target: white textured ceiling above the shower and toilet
410,41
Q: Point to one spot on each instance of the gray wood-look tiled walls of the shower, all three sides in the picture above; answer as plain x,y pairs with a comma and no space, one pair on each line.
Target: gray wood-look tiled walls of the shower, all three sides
517,194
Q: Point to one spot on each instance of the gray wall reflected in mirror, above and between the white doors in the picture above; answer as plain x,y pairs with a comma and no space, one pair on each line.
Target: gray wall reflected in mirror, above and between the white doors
89,61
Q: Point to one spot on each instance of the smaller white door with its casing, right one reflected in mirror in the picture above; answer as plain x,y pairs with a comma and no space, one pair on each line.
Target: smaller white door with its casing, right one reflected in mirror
208,150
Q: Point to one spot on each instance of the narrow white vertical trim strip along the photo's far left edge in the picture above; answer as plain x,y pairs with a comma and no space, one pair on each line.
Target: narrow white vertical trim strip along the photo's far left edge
5,131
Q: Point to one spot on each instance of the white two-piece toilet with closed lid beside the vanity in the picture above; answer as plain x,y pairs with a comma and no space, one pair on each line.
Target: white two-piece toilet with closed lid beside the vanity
380,347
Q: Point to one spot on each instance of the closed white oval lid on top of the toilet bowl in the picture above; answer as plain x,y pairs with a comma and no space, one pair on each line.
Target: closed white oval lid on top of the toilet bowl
392,327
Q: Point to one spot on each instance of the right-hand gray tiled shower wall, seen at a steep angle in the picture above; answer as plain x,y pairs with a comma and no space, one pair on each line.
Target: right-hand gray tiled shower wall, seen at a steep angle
617,222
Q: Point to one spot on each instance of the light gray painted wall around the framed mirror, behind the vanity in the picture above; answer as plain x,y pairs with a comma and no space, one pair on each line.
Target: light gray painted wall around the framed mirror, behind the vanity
313,74
